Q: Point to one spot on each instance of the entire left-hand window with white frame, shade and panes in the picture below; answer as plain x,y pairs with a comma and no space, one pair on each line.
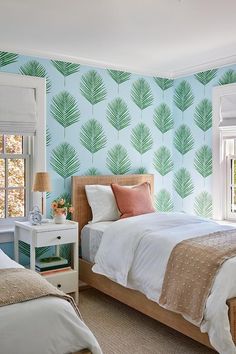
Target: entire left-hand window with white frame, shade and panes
22,144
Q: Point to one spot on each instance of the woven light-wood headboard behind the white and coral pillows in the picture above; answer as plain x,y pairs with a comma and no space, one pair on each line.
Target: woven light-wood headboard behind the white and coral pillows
83,212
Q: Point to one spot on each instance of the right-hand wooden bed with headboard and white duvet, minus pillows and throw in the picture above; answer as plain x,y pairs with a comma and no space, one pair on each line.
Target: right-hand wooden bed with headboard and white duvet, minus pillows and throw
126,281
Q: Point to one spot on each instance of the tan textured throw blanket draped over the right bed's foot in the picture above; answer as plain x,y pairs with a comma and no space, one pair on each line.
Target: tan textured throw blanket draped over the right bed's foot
191,271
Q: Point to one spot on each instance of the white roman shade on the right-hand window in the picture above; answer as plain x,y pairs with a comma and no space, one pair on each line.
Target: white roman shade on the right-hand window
228,111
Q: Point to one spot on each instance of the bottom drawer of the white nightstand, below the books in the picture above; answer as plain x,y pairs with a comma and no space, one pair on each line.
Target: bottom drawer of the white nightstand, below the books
65,281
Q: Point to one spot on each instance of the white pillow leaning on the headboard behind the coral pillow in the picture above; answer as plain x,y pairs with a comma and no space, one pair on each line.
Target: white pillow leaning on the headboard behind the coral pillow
102,202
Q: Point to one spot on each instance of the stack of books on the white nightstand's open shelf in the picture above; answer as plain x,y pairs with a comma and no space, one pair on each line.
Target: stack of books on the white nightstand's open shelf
51,265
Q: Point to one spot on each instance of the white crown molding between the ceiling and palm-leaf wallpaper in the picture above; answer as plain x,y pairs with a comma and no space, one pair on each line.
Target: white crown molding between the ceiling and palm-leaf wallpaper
175,74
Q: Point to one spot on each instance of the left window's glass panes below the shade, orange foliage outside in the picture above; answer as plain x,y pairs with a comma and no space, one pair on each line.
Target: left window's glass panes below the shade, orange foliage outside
14,176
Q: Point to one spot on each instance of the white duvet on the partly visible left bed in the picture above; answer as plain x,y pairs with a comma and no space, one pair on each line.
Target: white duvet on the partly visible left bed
42,326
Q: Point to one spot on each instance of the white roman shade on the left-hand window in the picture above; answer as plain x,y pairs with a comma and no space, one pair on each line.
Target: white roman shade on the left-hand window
17,110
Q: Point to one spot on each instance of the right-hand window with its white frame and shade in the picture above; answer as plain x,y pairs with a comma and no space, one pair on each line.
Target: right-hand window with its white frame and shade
224,152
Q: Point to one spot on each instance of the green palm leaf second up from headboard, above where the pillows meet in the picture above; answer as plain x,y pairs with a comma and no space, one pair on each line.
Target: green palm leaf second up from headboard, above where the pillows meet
118,114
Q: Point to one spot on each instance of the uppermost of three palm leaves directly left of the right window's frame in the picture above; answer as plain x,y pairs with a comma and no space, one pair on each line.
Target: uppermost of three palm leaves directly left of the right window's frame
203,115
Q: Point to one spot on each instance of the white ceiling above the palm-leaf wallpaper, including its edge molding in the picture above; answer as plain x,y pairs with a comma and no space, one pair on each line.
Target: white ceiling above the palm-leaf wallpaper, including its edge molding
152,37
